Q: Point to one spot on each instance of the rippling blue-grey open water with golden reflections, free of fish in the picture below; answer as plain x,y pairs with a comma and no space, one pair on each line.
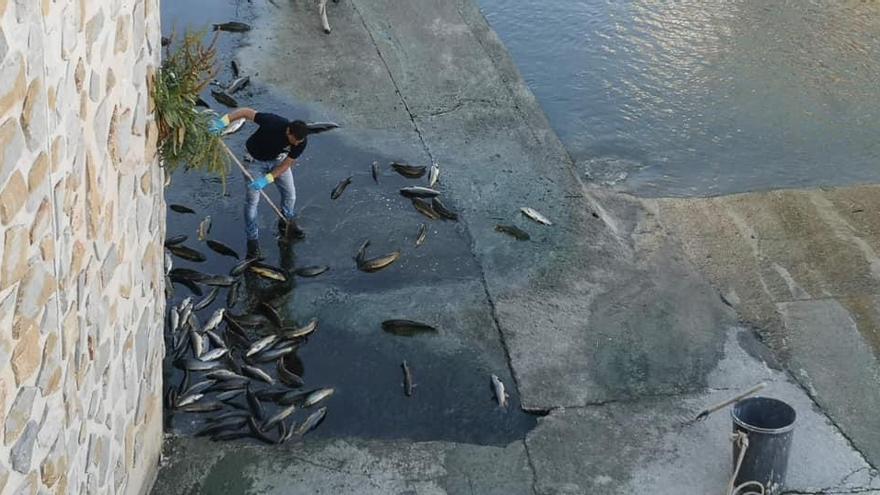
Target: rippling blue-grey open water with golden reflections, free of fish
704,98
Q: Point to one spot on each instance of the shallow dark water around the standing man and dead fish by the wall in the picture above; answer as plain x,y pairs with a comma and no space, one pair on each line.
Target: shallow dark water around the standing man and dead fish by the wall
452,400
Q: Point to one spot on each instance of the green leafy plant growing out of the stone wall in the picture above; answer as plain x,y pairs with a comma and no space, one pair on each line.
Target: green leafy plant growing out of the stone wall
183,129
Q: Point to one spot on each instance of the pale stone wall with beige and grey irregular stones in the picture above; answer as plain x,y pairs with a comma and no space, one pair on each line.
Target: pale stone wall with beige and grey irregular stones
81,230
